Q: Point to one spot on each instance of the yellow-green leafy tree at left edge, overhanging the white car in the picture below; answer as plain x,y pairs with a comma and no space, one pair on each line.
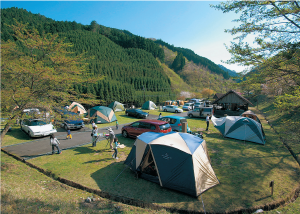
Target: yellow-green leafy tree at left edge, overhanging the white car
36,70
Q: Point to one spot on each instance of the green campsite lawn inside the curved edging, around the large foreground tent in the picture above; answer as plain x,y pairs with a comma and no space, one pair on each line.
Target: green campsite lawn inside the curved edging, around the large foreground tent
243,168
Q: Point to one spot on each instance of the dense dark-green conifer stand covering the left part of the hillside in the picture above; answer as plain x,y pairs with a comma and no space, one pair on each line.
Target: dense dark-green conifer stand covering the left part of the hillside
127,63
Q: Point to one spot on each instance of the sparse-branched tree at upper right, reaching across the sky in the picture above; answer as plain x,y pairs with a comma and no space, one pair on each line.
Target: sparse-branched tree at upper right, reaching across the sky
276,51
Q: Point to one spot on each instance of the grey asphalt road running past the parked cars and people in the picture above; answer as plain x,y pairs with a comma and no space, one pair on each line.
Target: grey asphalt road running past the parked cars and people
41,146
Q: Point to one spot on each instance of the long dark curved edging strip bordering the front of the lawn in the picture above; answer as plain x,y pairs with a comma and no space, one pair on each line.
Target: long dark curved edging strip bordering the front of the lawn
138,203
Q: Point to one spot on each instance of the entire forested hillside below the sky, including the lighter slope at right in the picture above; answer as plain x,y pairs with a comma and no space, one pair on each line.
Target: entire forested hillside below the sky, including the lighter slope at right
132,67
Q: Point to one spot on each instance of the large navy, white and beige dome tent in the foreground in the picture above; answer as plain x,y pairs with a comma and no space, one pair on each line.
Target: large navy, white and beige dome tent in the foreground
178,161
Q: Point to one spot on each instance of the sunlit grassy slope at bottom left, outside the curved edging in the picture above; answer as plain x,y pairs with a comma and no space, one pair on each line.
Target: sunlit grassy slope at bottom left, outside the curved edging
25,190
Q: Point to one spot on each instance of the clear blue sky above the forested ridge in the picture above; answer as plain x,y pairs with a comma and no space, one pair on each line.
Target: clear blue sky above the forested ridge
191,24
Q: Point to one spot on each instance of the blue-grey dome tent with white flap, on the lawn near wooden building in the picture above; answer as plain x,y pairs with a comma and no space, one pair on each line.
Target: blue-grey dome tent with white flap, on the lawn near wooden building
241,128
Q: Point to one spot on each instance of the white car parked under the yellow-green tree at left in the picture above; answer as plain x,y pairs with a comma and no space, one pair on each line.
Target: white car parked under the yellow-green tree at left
37,127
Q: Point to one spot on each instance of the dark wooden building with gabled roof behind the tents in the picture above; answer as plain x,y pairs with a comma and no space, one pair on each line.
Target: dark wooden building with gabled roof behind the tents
232,101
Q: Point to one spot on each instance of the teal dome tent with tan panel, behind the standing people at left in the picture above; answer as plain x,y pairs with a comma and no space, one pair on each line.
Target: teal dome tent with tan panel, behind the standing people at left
101,114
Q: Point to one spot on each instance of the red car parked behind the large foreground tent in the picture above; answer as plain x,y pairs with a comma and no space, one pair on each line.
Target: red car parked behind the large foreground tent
141,126
